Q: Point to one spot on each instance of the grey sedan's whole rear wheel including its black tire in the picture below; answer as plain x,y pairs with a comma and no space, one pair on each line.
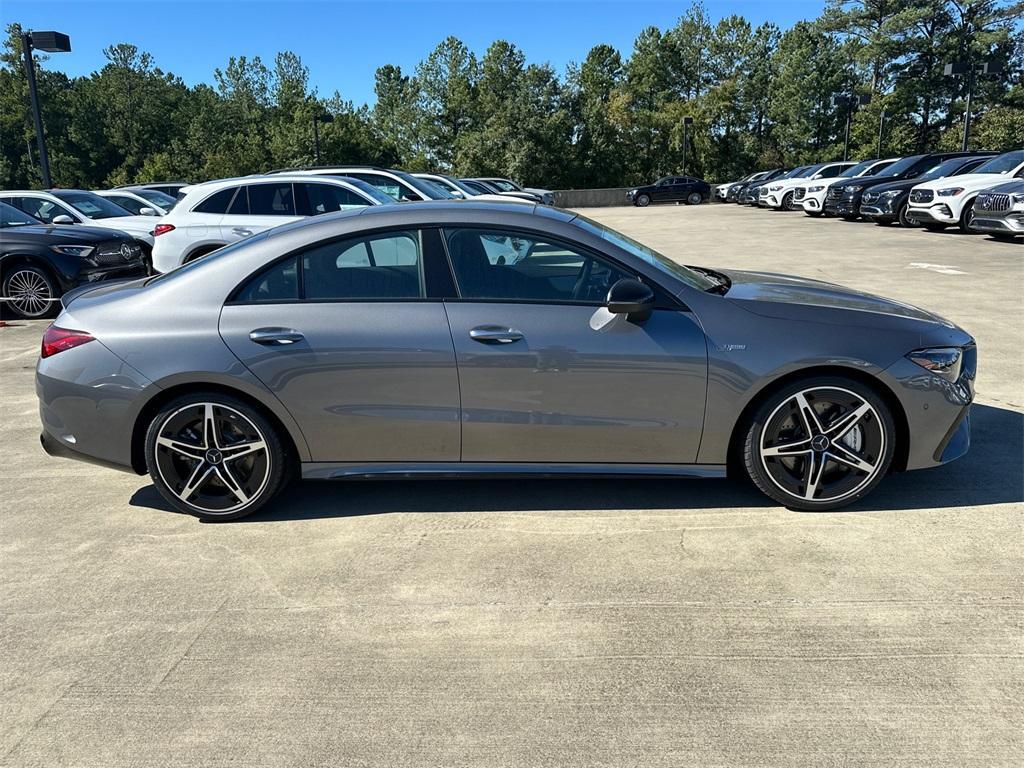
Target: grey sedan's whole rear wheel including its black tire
234,468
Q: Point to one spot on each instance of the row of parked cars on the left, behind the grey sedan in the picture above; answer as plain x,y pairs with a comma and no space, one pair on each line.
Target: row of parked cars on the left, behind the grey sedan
55,240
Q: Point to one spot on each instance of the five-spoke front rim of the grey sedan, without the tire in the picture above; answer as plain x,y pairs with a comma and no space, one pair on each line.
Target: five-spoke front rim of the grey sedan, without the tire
823,445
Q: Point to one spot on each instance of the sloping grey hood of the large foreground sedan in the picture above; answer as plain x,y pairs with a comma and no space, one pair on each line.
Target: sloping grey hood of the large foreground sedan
774,295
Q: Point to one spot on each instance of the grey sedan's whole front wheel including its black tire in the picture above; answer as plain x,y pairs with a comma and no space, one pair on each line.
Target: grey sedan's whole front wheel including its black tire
784,451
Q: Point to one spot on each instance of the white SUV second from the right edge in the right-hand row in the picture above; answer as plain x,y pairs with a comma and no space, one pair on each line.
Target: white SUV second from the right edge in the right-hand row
945,202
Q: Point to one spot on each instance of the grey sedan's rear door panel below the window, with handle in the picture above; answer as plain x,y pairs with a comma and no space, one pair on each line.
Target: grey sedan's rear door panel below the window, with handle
367,381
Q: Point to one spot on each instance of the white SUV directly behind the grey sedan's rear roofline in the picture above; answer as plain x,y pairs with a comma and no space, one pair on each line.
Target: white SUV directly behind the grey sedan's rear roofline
215,215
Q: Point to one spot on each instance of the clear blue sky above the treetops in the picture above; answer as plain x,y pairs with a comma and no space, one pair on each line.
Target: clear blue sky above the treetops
344,44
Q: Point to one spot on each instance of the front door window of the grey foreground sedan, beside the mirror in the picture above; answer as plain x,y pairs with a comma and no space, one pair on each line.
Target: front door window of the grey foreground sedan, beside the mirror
494,265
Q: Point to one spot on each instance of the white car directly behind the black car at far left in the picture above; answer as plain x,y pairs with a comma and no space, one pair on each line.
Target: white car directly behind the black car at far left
80,207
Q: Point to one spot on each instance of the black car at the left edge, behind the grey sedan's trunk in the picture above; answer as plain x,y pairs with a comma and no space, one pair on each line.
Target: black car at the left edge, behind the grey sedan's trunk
40,263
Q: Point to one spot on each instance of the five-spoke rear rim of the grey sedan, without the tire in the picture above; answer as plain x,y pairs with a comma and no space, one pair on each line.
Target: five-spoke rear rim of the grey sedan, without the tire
212,457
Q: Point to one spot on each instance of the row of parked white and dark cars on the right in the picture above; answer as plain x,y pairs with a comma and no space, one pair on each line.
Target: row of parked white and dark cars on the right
977,192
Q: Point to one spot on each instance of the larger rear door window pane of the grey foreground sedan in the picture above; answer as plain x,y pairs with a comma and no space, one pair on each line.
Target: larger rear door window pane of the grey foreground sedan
379,267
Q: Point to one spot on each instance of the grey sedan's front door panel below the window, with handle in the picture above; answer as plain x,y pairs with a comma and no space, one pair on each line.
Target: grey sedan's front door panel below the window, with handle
572,383
